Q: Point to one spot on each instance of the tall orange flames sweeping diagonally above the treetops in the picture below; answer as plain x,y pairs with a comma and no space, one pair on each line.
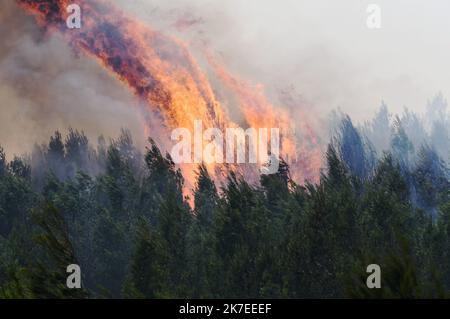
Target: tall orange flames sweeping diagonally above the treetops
163,73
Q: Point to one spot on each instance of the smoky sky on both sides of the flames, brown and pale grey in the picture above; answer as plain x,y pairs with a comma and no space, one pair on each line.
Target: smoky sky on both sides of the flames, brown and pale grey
321,49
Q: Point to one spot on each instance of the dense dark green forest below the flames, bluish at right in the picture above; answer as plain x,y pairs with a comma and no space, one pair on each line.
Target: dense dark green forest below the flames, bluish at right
383,197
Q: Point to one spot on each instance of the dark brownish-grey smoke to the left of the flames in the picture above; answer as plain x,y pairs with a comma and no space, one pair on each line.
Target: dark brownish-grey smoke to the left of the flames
44,86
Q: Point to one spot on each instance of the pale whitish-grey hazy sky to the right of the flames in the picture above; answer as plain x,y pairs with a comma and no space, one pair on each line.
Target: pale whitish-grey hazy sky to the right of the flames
324,48
